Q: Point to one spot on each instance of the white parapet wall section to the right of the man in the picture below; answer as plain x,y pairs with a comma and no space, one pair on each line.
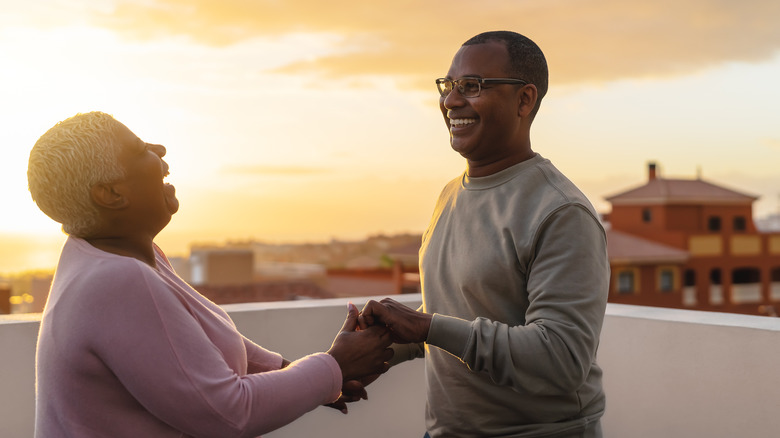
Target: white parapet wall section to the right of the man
679,373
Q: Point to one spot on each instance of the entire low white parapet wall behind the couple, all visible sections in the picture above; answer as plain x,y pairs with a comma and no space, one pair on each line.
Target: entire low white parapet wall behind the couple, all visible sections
667,373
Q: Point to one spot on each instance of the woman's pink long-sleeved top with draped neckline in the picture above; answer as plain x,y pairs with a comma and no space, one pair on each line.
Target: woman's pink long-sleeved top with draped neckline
125,350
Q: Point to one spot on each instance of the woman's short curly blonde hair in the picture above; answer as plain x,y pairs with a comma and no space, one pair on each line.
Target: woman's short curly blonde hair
67,161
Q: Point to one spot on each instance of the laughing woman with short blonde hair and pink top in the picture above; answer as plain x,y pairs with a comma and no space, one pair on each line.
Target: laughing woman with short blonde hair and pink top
126,347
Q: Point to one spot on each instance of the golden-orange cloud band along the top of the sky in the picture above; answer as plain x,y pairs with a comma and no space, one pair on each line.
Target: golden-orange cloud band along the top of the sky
585,41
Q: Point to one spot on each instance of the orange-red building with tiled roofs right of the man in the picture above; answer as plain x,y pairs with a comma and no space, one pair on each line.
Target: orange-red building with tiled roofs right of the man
691,244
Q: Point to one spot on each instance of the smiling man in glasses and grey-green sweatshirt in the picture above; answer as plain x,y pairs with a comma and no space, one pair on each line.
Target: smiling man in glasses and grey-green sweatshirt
513,267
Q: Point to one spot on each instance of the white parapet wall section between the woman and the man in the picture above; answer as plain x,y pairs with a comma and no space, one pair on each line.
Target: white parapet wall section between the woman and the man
396,401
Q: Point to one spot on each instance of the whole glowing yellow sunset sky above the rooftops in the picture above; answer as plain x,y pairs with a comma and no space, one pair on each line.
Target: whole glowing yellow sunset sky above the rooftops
294,120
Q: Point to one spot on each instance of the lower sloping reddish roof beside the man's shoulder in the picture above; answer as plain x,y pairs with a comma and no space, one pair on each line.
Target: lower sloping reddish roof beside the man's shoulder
625,248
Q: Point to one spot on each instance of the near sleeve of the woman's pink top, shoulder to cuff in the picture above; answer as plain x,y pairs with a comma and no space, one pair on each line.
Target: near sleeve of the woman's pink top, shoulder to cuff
161,354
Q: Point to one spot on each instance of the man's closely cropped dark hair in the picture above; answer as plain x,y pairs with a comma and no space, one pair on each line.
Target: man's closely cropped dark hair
526,60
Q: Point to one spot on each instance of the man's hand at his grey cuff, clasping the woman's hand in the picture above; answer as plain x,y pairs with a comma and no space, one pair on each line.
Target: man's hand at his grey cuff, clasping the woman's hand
406,325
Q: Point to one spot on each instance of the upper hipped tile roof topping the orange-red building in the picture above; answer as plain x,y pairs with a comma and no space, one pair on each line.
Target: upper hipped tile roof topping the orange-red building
677,191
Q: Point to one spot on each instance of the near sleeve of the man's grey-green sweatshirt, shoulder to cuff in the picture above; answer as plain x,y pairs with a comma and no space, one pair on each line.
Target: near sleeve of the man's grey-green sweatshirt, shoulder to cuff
567,282
